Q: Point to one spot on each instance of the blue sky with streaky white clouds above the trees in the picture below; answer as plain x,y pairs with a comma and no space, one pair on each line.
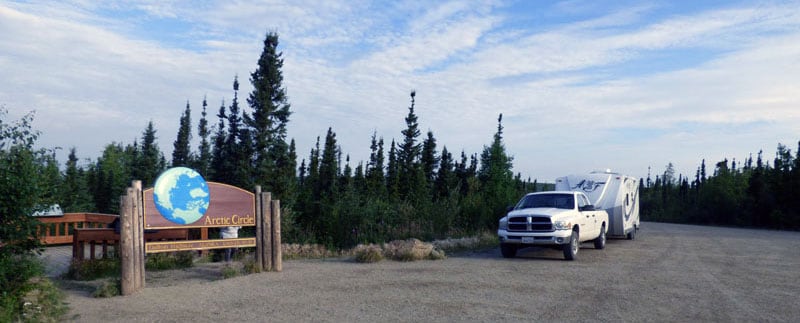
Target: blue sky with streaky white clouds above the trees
582,85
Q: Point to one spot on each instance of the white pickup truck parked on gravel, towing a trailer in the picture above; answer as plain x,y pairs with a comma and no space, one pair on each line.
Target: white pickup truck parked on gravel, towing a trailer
559,219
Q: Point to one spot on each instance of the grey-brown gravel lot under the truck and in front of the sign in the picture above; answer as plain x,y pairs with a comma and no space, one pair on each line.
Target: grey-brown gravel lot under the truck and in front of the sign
675,273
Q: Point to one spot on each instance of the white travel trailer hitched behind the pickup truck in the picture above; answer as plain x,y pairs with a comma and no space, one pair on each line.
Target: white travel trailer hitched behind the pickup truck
615,193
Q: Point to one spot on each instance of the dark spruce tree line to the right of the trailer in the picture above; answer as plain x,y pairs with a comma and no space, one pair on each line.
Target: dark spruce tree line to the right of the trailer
753,193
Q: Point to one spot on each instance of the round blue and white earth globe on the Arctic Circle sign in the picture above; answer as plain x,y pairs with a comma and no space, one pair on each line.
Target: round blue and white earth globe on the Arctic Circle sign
181,195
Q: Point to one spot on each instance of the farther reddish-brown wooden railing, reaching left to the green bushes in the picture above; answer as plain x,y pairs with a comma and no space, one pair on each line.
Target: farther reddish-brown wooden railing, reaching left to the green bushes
60,229
